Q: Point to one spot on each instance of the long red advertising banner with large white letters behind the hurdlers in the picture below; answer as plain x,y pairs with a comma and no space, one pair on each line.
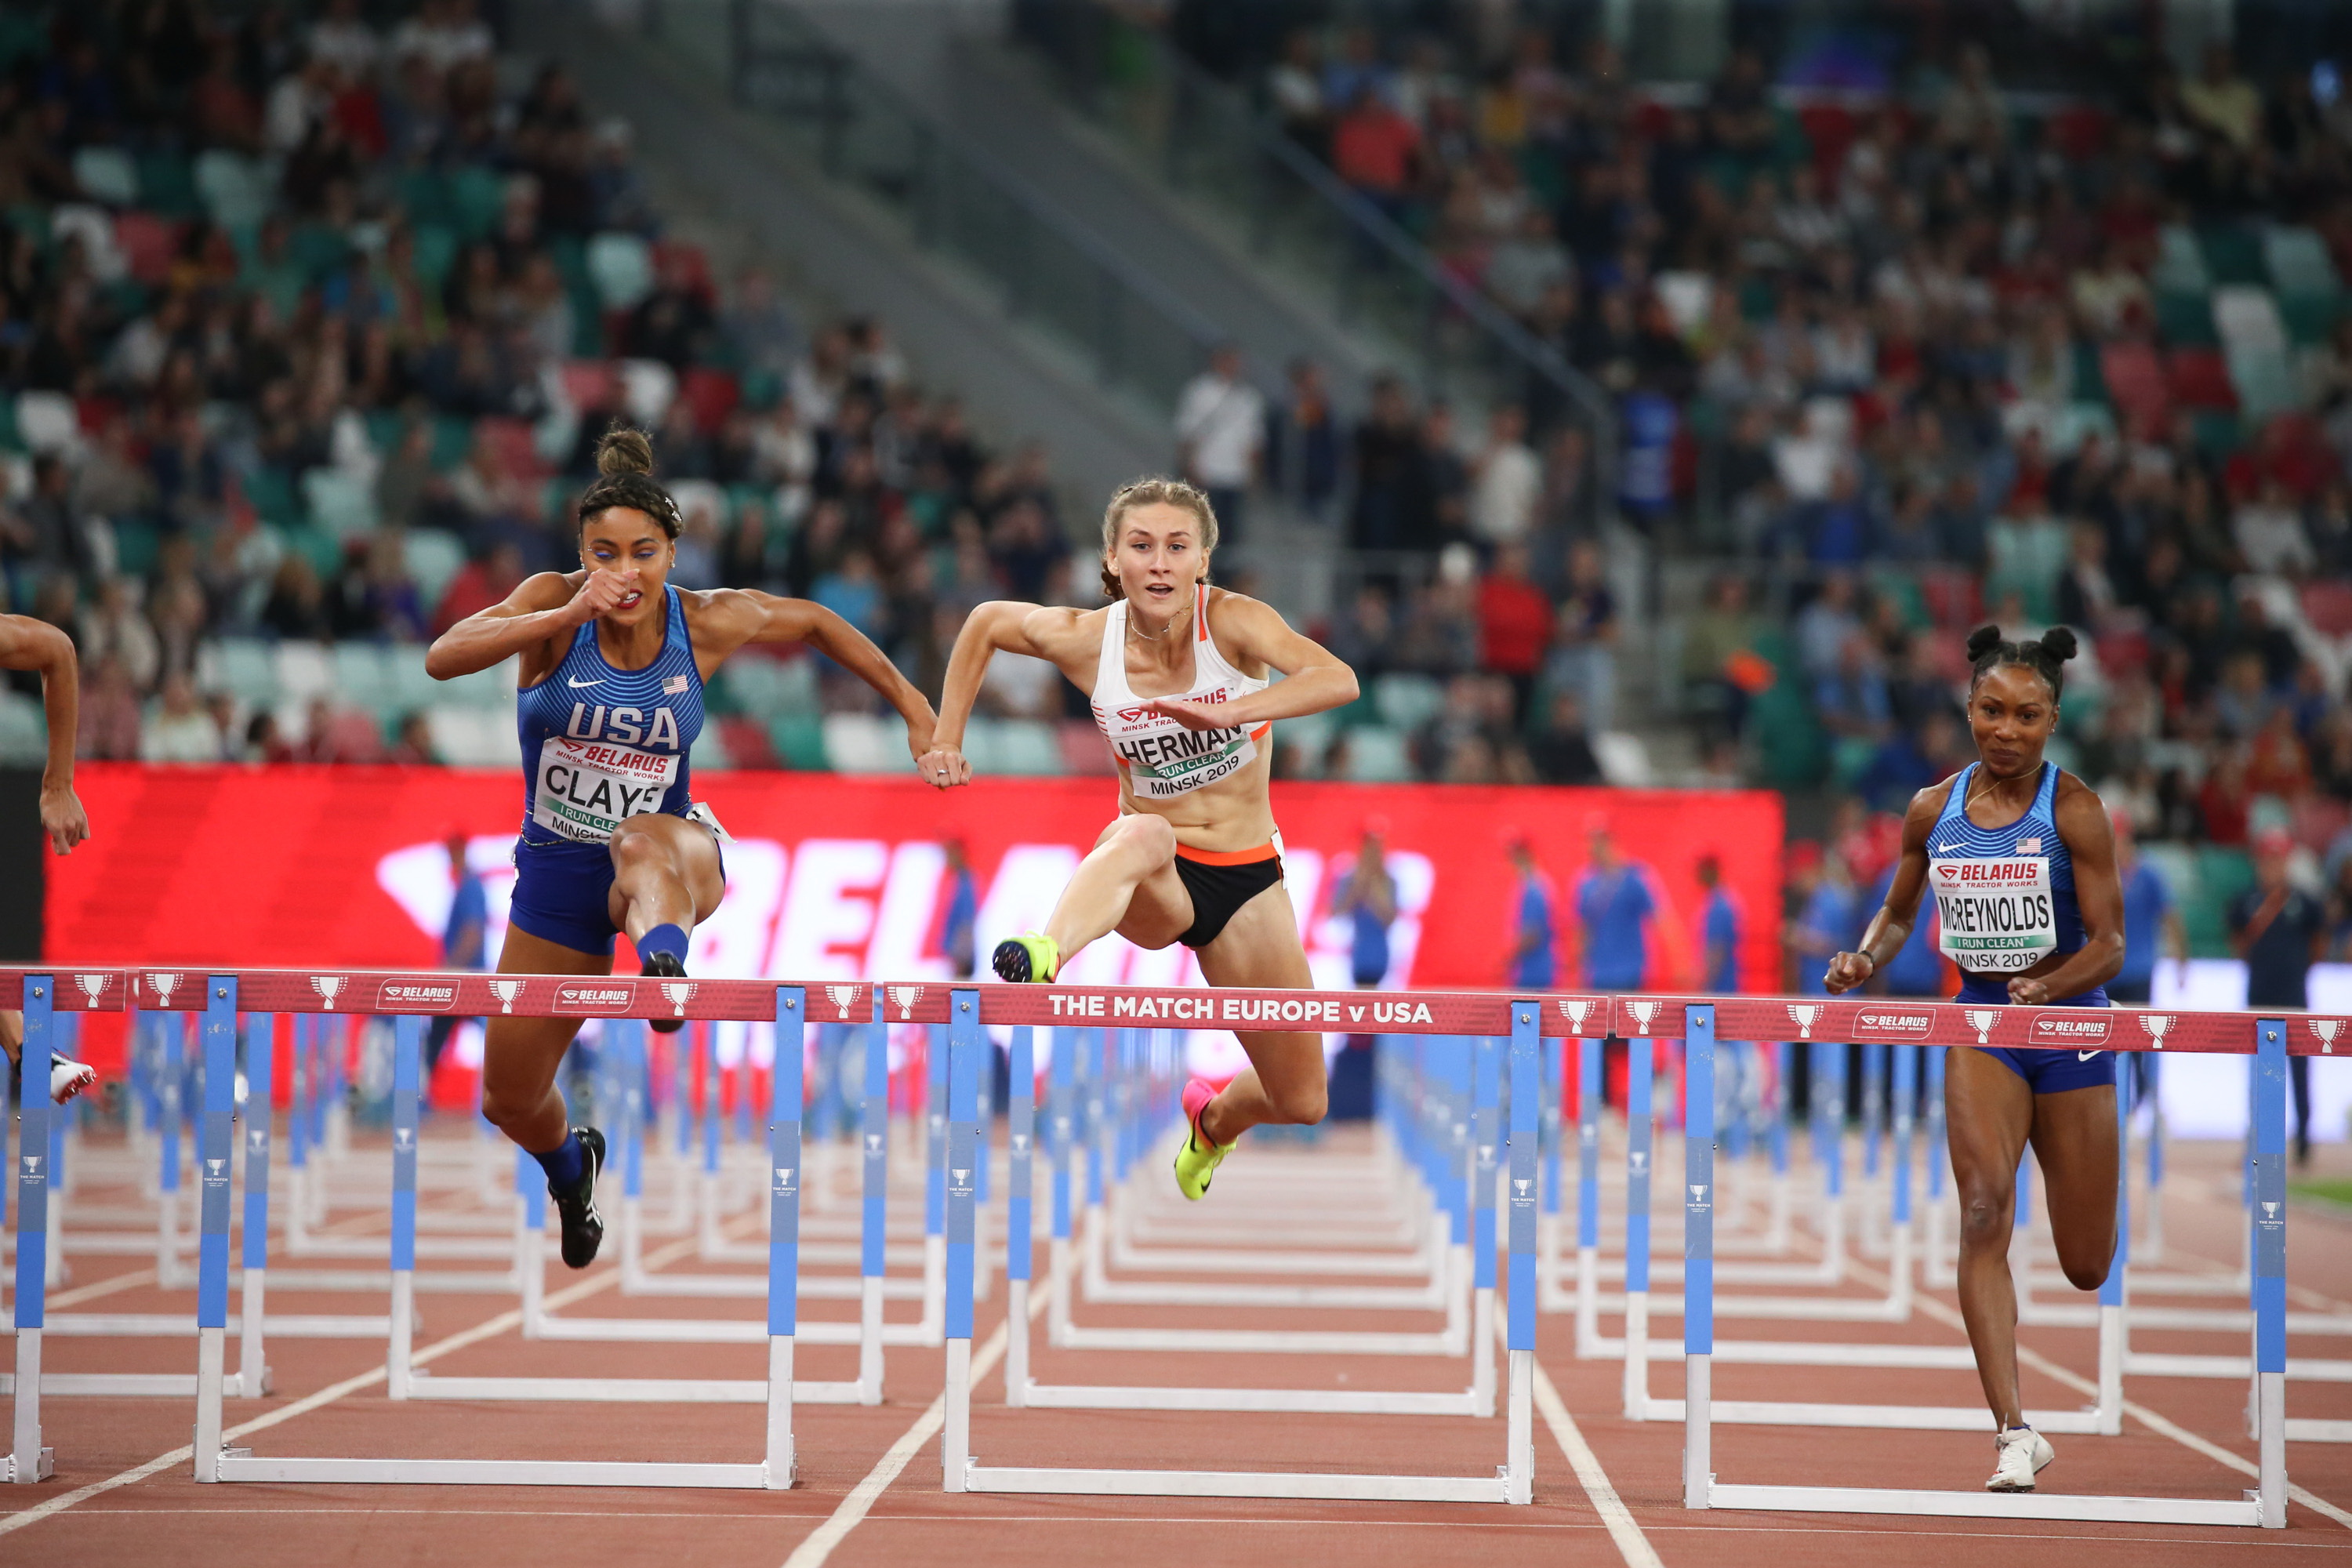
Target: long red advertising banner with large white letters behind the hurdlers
841,878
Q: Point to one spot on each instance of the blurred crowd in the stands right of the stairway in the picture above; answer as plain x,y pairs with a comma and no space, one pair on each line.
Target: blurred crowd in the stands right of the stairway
1902,363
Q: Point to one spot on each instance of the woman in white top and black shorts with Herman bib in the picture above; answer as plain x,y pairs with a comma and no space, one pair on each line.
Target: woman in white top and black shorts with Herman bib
1182,690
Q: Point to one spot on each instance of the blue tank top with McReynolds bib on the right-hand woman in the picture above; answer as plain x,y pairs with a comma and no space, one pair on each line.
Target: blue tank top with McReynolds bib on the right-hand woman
2005,897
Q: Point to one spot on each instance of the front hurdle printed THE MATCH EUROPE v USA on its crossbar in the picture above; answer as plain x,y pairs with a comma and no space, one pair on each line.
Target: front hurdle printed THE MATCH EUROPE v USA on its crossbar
1459,1017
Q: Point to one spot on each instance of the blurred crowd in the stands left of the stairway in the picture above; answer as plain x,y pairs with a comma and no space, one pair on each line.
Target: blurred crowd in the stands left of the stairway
307,333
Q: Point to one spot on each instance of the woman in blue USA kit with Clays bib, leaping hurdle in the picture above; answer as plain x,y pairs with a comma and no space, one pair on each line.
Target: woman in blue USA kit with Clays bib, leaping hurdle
613,697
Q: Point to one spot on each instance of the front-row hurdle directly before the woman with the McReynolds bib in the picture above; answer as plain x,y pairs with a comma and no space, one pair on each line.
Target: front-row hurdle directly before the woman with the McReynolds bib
2033,1028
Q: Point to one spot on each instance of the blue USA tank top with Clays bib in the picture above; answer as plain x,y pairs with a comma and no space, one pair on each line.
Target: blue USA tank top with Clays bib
601,744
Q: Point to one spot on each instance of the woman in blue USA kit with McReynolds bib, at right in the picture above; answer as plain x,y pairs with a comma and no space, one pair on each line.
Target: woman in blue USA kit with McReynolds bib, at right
2031,909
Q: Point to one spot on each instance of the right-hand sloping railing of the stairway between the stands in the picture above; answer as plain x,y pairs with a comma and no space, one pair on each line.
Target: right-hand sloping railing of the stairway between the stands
1323,236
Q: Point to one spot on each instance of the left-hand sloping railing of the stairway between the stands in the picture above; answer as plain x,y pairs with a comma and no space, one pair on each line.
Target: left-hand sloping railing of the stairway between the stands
862,133
